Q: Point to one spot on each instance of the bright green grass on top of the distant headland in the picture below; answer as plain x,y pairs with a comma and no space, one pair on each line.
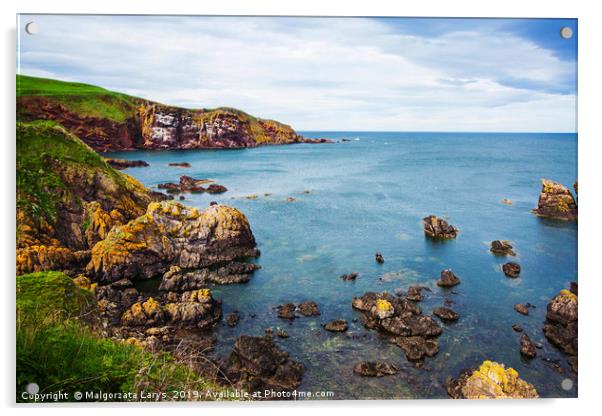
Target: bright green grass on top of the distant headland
83,99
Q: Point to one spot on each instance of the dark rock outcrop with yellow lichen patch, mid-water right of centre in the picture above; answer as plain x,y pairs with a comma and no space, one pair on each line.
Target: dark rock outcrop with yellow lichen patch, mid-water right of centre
402,321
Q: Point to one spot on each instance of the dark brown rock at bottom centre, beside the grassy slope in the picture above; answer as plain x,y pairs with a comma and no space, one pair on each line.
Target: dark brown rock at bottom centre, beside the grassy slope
256,364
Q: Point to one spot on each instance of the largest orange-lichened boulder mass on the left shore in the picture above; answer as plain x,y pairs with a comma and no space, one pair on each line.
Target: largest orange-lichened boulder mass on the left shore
171,234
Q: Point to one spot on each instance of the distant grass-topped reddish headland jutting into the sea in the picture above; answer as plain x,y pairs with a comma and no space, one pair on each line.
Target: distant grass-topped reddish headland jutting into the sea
108,121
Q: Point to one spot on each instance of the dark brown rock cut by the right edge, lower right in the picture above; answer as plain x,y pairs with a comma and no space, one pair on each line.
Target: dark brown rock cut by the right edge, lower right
561,327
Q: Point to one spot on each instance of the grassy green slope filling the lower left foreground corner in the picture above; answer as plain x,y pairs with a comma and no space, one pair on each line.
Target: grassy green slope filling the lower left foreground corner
57,351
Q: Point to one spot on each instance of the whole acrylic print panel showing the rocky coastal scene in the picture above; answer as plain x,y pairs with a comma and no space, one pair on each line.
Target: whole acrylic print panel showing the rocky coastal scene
411,185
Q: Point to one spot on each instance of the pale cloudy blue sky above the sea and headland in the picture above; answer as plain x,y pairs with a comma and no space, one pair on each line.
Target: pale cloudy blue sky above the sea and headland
346,74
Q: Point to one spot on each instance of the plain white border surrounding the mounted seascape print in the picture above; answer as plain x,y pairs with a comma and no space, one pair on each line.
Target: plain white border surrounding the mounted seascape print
590,33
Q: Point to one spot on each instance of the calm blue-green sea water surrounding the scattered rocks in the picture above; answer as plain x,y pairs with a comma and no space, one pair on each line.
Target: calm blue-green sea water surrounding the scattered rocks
369,195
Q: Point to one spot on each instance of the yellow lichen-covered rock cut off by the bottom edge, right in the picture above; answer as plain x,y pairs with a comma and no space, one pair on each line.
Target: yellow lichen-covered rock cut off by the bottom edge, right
490,381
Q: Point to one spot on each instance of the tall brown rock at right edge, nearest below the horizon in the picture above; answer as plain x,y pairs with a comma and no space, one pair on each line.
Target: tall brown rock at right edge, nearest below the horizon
556,201
